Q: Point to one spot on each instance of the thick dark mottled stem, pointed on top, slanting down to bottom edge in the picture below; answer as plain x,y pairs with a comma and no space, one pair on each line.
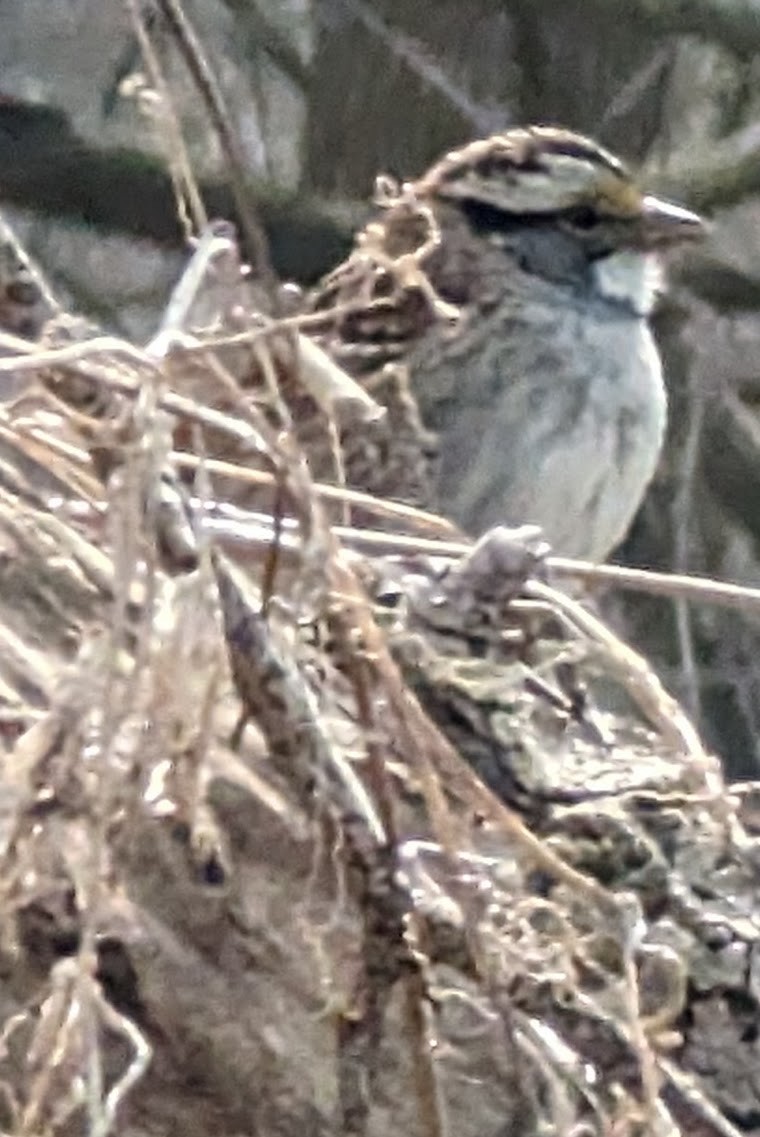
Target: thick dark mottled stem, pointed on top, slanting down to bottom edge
277,696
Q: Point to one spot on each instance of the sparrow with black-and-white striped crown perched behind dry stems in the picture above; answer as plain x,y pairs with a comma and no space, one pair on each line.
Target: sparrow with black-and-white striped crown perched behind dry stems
515,283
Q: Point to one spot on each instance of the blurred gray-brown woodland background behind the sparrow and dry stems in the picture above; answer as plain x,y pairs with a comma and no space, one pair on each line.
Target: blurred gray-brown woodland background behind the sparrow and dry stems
324,95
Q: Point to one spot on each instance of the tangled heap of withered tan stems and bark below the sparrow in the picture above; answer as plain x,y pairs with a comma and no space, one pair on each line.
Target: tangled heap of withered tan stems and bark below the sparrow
316,818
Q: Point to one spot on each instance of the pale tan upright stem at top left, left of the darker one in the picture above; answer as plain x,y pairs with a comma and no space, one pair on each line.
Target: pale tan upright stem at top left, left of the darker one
191,208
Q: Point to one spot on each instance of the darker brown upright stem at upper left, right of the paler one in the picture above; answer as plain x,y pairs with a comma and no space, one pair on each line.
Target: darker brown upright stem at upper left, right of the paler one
214,102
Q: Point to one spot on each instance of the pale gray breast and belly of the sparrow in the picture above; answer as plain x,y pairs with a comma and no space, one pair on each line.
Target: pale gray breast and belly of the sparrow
550,410
